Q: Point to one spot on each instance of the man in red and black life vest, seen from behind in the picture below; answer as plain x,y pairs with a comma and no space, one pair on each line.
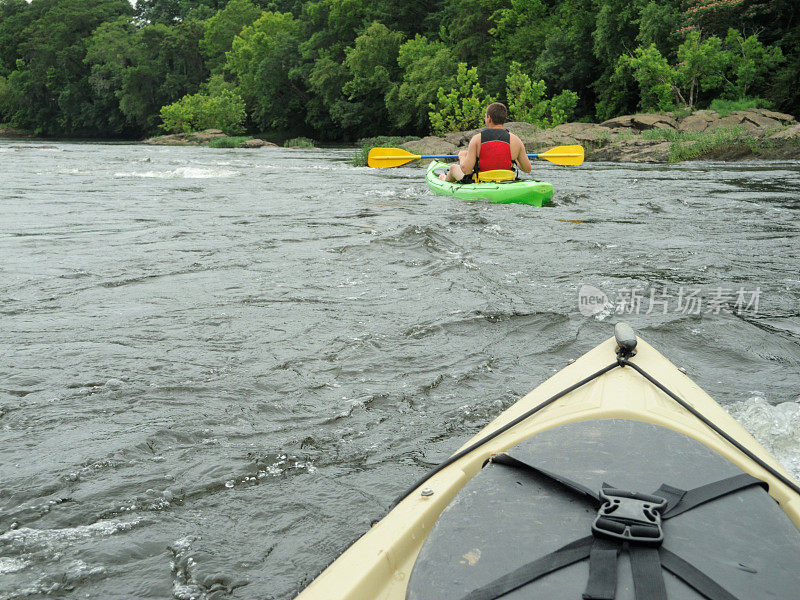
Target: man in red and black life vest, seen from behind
494,148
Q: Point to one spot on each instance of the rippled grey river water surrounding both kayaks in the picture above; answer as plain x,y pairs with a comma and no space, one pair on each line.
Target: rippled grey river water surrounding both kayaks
218,366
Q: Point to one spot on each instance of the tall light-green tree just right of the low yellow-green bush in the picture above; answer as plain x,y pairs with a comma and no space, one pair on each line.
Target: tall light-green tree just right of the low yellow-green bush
264,59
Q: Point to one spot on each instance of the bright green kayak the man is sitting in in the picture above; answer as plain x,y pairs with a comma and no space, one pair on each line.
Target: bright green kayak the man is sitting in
530,192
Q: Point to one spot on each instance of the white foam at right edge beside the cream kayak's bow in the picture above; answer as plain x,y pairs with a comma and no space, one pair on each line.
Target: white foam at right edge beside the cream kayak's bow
776,427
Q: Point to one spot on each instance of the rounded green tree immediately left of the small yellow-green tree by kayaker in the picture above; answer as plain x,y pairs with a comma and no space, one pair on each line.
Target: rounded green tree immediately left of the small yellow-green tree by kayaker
426,66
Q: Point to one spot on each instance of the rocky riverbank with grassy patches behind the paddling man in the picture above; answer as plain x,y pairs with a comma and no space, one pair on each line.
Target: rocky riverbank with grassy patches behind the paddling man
654,138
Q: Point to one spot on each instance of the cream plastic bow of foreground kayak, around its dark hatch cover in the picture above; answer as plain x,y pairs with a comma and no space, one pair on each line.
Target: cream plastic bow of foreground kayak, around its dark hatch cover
380,564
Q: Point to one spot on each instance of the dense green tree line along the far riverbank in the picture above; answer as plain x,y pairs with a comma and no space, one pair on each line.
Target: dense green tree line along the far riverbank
348,69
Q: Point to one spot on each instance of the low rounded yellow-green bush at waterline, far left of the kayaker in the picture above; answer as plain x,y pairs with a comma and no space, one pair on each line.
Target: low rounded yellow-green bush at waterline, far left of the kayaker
197,112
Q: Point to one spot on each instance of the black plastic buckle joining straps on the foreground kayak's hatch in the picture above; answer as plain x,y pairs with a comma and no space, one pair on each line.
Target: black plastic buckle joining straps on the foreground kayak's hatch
629,517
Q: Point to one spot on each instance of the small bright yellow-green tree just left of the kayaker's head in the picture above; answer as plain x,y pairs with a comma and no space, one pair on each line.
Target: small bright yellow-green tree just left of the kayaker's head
462,106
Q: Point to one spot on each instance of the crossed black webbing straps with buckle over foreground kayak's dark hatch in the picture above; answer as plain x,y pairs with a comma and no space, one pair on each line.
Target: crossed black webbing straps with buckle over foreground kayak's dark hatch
625,521
